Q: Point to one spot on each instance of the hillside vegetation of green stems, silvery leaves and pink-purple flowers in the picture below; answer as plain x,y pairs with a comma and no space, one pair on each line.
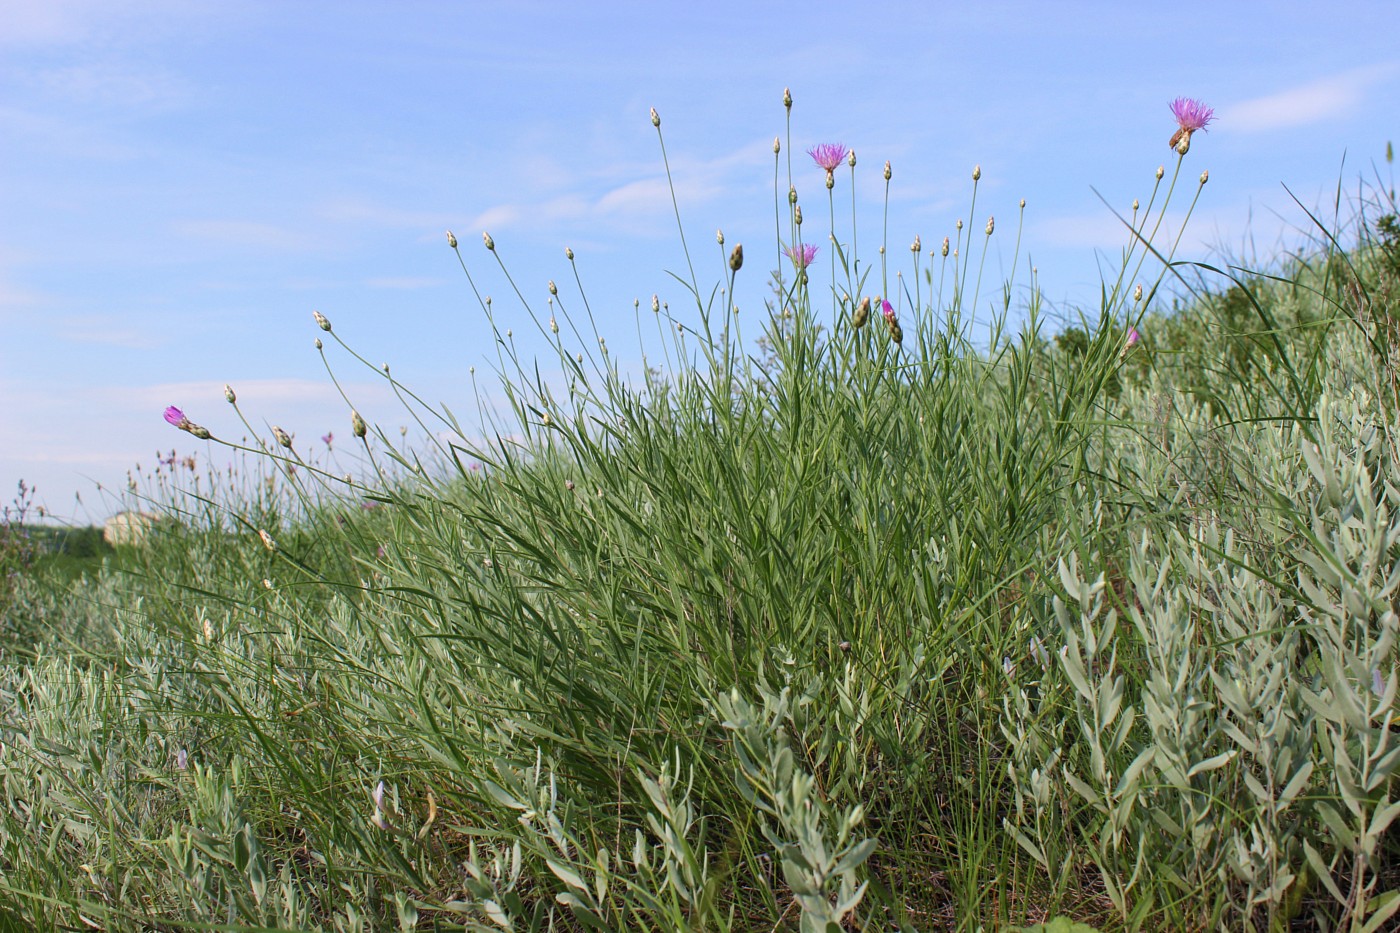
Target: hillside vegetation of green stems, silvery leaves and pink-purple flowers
874,618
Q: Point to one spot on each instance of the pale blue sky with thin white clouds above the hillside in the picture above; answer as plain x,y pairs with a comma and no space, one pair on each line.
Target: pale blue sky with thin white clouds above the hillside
184,183
